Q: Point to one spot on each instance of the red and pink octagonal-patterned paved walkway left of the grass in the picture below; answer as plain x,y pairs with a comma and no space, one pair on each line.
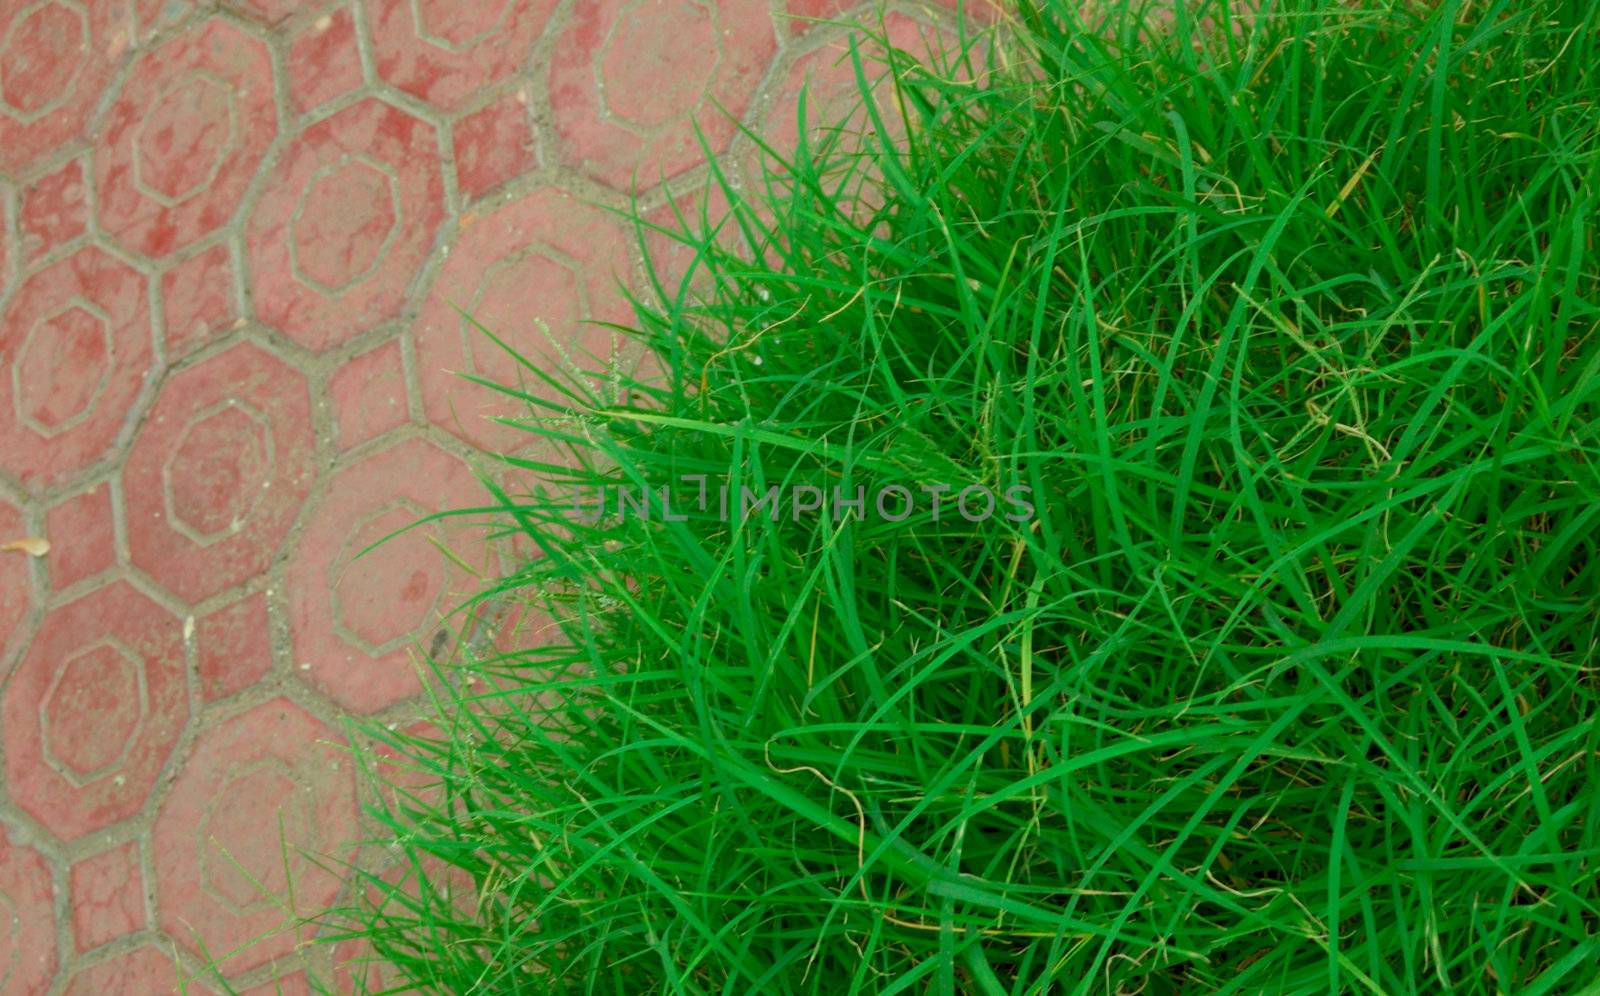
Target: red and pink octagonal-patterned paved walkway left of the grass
231,244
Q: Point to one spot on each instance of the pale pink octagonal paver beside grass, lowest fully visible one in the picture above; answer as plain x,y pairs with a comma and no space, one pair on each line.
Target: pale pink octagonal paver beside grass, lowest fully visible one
220,829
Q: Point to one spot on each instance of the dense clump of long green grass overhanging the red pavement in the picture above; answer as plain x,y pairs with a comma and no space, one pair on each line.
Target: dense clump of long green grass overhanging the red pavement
1289,685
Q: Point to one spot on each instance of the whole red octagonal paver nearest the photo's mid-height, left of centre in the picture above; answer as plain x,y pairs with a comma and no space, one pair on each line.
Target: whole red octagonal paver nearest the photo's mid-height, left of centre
218,472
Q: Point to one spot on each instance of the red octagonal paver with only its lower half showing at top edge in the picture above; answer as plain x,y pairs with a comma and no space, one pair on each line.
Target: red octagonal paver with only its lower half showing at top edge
444,50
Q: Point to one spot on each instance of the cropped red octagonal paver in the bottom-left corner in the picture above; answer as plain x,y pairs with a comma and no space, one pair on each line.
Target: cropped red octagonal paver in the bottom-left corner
28,925
